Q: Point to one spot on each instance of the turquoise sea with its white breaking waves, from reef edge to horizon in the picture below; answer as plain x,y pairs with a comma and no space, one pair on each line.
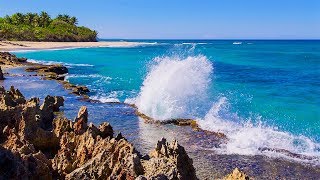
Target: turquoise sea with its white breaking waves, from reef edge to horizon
268,92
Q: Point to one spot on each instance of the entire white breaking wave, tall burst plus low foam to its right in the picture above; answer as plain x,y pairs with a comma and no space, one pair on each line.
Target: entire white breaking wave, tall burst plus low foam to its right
177,88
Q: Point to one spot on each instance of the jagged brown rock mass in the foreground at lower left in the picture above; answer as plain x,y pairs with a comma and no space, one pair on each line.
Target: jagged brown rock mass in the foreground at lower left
30,147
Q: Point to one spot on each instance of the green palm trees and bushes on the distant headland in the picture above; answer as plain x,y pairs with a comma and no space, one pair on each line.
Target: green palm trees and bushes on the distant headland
41,27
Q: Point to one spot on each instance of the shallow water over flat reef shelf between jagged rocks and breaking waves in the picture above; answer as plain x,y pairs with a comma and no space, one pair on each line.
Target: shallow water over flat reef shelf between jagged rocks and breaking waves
143,135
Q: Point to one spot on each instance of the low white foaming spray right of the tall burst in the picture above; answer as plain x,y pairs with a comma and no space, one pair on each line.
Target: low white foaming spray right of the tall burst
246,138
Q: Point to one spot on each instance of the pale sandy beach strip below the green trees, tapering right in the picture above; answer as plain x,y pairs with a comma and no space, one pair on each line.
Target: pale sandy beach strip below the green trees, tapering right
28,45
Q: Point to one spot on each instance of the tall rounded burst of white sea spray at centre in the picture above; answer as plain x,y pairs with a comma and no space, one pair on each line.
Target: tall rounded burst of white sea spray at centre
175,87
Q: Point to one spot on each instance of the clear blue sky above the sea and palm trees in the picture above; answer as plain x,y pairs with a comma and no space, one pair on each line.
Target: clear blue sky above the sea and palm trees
185,19
